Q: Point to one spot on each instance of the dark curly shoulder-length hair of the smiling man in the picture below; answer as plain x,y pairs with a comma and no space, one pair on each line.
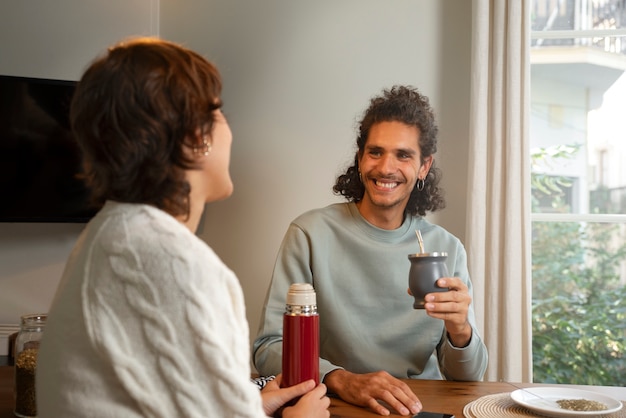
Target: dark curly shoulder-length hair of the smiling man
406,105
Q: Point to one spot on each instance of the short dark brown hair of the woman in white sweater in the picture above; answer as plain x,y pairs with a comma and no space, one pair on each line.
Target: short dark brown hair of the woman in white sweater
133,113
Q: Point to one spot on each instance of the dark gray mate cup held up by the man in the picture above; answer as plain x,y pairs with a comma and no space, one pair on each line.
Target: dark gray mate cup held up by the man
426,269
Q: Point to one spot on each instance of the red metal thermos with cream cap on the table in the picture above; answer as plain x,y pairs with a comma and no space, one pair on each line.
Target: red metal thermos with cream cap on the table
301,331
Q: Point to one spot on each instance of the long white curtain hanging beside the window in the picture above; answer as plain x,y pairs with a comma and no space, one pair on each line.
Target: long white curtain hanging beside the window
498,232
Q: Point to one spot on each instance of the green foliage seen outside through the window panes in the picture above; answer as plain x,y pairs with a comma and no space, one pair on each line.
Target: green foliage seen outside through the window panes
578,299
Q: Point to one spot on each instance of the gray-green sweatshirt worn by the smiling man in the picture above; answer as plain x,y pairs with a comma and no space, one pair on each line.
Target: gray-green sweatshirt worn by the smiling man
367,321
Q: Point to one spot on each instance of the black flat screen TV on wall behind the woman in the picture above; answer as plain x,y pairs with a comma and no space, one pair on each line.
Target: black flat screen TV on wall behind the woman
40,163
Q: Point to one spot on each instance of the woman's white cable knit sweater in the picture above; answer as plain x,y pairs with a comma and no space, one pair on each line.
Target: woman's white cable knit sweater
147,322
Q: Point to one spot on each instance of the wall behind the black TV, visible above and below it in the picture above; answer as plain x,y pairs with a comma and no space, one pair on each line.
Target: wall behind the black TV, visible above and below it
53,40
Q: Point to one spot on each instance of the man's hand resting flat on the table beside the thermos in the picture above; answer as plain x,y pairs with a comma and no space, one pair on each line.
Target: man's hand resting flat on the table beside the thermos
370,389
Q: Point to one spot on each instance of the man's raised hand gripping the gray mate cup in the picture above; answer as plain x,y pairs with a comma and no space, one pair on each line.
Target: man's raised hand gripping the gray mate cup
452,306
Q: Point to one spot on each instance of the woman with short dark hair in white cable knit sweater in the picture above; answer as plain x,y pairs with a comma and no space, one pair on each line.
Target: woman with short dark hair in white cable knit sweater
147,320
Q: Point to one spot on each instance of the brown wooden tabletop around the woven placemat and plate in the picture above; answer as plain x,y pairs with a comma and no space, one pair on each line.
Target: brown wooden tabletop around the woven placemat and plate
436,395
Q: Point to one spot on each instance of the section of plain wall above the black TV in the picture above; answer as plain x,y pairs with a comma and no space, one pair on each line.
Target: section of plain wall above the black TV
57,39
